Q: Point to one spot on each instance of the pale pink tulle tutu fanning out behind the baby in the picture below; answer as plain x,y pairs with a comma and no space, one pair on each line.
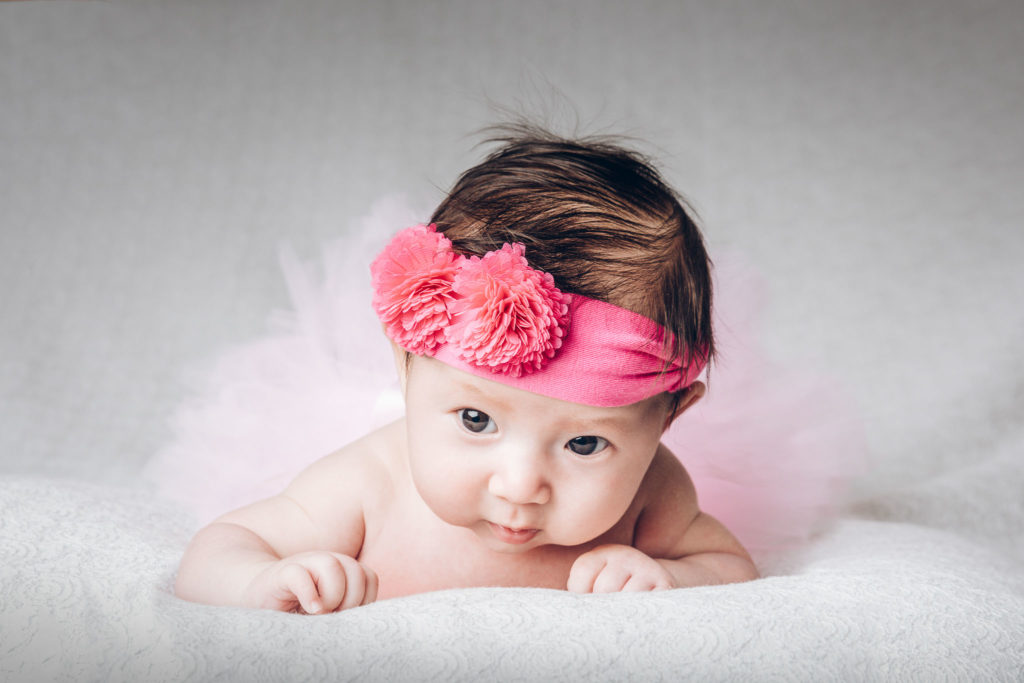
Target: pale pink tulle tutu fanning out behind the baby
770,450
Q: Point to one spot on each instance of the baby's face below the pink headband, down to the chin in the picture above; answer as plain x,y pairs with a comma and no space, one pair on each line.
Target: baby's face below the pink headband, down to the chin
523,471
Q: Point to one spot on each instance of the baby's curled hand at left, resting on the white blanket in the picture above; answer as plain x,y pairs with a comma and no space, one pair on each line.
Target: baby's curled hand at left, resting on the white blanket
316,583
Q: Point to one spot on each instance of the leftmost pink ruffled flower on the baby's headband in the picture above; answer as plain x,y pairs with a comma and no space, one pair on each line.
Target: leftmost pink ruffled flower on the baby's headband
413,288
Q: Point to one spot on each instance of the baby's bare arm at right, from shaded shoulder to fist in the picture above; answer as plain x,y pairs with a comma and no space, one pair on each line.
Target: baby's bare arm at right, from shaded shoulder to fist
675,544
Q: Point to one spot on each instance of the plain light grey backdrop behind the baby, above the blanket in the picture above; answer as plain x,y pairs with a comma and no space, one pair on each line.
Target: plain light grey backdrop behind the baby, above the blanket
867,157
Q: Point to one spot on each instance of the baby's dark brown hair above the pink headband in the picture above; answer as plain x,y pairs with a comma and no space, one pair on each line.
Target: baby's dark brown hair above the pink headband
595,216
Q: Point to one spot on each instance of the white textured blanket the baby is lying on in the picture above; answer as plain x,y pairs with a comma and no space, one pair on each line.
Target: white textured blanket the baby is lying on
86,575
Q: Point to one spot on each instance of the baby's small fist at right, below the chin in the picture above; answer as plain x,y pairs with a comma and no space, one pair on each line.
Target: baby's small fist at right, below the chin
614,568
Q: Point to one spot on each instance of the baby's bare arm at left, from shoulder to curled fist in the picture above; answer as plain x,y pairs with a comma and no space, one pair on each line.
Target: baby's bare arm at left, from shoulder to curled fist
293,551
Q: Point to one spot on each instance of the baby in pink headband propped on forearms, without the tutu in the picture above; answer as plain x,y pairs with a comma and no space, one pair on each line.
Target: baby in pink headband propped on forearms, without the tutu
548,326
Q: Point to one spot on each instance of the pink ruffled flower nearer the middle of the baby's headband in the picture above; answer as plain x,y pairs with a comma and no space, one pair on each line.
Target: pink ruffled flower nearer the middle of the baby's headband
506,316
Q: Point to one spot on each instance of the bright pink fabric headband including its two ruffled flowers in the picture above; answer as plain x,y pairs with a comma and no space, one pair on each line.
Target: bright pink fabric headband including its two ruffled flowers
497,318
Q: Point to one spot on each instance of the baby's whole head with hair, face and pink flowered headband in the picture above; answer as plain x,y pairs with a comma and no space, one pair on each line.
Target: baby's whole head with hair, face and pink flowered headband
559,313
